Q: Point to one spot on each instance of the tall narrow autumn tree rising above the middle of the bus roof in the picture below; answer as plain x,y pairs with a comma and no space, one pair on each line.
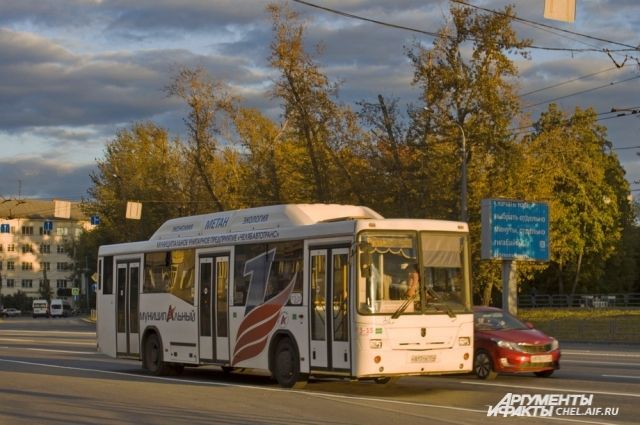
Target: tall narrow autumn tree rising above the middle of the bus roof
327,131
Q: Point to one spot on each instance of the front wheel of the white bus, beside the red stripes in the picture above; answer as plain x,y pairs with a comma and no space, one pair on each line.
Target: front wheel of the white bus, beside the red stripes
284,361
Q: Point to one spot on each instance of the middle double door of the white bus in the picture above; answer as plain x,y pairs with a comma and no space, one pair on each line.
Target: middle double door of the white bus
213,307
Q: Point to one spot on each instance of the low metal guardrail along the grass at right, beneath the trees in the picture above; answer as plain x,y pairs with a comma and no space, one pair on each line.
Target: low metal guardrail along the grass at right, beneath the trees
580,300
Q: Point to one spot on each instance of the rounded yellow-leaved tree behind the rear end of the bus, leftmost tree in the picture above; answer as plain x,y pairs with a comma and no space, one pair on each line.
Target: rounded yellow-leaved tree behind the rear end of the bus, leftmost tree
141,164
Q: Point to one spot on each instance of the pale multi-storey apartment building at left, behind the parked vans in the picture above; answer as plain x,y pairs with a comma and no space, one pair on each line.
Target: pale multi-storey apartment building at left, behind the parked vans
33,236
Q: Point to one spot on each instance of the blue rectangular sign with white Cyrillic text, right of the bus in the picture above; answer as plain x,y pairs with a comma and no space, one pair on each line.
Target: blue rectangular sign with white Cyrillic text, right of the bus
515,230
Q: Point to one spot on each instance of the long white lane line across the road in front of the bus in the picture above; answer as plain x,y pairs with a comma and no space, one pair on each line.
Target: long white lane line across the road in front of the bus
340,397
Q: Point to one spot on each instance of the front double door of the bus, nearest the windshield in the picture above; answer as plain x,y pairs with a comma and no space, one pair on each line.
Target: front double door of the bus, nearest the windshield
329,283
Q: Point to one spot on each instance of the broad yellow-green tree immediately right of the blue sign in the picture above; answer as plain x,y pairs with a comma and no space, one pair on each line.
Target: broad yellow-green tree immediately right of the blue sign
570,164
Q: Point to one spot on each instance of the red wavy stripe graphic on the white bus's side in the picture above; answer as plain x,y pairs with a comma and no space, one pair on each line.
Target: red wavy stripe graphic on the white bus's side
258,324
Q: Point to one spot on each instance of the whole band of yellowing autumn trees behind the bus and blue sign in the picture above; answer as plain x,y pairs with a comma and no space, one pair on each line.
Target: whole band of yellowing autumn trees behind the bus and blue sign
399,163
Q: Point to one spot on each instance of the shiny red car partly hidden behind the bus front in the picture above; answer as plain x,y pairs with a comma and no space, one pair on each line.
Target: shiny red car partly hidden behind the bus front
505,344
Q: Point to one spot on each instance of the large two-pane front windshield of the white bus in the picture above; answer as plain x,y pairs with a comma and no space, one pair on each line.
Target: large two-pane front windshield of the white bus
412,273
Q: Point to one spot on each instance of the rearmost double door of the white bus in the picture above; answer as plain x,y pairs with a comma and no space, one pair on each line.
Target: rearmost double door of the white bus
127,308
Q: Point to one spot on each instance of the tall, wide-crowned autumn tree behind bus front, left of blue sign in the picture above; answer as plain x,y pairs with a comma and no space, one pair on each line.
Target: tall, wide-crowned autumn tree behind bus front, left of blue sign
468,97
